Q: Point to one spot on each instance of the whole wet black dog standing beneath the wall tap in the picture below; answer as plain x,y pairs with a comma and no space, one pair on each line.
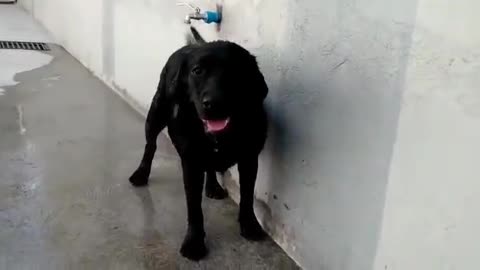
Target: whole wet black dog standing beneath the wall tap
211,98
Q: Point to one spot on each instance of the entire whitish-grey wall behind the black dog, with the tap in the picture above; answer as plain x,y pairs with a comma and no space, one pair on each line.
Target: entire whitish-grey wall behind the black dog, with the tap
374,108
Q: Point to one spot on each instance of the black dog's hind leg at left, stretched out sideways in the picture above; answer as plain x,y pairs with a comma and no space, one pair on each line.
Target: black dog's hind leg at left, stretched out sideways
157,119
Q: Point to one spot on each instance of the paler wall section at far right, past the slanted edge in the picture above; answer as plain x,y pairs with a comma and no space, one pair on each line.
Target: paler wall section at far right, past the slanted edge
432,212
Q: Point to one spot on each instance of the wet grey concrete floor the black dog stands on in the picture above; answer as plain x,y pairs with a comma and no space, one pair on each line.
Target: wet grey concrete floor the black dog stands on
65,202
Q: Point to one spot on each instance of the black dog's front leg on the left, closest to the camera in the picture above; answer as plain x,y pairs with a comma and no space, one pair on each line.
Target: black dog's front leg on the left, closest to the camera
193,246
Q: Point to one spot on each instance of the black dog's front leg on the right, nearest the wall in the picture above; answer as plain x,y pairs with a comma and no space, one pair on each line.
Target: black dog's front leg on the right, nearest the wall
250,228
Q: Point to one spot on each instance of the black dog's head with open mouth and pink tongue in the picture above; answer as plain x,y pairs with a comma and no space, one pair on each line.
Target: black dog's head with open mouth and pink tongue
224,83
